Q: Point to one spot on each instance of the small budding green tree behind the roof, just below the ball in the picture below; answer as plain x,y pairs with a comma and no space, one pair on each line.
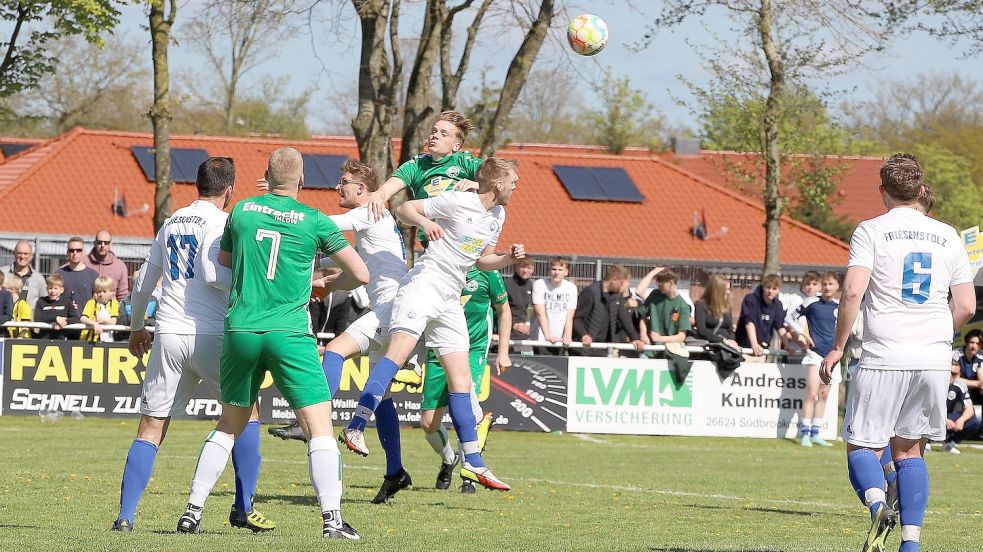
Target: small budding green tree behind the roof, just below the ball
626,119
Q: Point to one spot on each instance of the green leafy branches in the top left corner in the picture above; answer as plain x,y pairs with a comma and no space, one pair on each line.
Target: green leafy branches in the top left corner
33,25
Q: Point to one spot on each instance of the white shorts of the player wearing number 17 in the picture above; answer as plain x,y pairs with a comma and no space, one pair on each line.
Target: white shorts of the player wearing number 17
177,364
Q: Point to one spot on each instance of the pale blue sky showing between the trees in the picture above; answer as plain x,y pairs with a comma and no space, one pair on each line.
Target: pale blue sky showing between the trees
326,63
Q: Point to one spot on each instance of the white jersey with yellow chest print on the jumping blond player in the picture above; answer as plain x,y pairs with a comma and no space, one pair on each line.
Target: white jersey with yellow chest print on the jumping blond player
468,229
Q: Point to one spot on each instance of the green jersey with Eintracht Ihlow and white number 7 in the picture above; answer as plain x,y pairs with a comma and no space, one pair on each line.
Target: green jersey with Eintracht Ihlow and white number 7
274,240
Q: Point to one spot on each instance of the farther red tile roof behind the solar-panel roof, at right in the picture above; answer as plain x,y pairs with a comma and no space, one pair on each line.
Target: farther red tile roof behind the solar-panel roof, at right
857,197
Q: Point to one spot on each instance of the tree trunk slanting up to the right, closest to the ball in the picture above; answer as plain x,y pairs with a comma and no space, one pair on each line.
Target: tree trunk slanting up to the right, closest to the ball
516,77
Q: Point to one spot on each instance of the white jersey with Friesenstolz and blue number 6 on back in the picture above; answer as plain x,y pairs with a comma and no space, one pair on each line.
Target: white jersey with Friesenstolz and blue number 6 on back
914,260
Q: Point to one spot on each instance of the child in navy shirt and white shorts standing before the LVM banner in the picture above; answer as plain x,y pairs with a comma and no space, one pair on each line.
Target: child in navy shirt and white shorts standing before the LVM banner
820,313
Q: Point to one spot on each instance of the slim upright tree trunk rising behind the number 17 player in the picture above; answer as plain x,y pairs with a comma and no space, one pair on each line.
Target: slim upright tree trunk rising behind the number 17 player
160,115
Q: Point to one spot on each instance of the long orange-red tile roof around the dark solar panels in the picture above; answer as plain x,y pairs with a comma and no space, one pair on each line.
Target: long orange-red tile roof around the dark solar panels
69,189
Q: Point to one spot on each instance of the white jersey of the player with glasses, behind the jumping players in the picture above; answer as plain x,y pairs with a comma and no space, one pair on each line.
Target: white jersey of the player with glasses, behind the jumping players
380,245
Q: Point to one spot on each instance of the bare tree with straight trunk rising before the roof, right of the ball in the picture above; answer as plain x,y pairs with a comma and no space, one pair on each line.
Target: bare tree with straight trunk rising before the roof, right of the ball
784,42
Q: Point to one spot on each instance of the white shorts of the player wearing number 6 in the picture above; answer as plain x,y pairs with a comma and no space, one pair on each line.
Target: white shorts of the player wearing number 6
883,404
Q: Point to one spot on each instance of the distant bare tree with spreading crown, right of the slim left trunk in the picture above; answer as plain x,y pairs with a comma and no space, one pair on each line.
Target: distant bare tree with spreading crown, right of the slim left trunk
236,36
